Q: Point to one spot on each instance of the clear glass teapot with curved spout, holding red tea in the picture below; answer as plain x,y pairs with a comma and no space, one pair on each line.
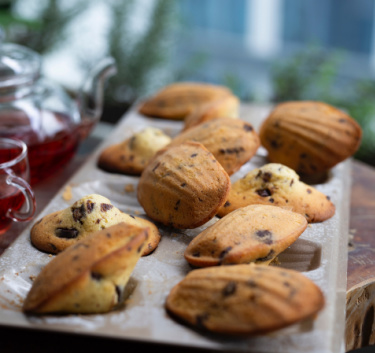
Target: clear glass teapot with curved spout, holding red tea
41,113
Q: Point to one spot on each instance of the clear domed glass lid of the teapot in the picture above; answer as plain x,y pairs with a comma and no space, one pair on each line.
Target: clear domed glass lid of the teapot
18,65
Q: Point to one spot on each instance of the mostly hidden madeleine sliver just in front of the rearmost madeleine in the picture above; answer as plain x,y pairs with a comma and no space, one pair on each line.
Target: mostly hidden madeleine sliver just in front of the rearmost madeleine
224,107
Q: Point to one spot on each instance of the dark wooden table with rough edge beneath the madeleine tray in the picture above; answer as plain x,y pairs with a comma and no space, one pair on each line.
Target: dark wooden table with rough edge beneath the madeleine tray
361,273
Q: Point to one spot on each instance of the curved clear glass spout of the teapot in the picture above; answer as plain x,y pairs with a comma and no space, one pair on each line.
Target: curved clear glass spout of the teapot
91,95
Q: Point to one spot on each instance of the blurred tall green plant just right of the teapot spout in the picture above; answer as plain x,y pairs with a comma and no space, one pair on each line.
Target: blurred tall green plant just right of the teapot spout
138,56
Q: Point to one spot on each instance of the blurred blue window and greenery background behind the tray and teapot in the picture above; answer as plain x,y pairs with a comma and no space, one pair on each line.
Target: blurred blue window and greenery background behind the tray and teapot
266,51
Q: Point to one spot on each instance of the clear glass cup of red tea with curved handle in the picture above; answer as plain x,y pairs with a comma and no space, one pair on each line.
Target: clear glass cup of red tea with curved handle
17,200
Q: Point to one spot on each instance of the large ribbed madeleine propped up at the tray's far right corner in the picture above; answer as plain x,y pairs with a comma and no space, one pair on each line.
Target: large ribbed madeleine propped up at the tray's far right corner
309,137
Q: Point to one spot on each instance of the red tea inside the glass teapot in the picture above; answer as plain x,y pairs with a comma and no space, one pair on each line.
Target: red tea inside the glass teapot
51,143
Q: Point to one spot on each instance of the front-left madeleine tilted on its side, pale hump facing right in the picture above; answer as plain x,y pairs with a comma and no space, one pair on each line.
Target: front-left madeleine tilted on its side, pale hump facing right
90,276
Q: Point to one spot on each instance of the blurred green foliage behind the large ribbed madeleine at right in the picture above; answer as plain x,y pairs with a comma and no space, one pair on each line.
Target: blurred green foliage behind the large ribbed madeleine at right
312,74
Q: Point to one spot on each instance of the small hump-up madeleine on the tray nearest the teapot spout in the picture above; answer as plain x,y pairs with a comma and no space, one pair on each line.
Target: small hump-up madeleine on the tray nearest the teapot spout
132,155
